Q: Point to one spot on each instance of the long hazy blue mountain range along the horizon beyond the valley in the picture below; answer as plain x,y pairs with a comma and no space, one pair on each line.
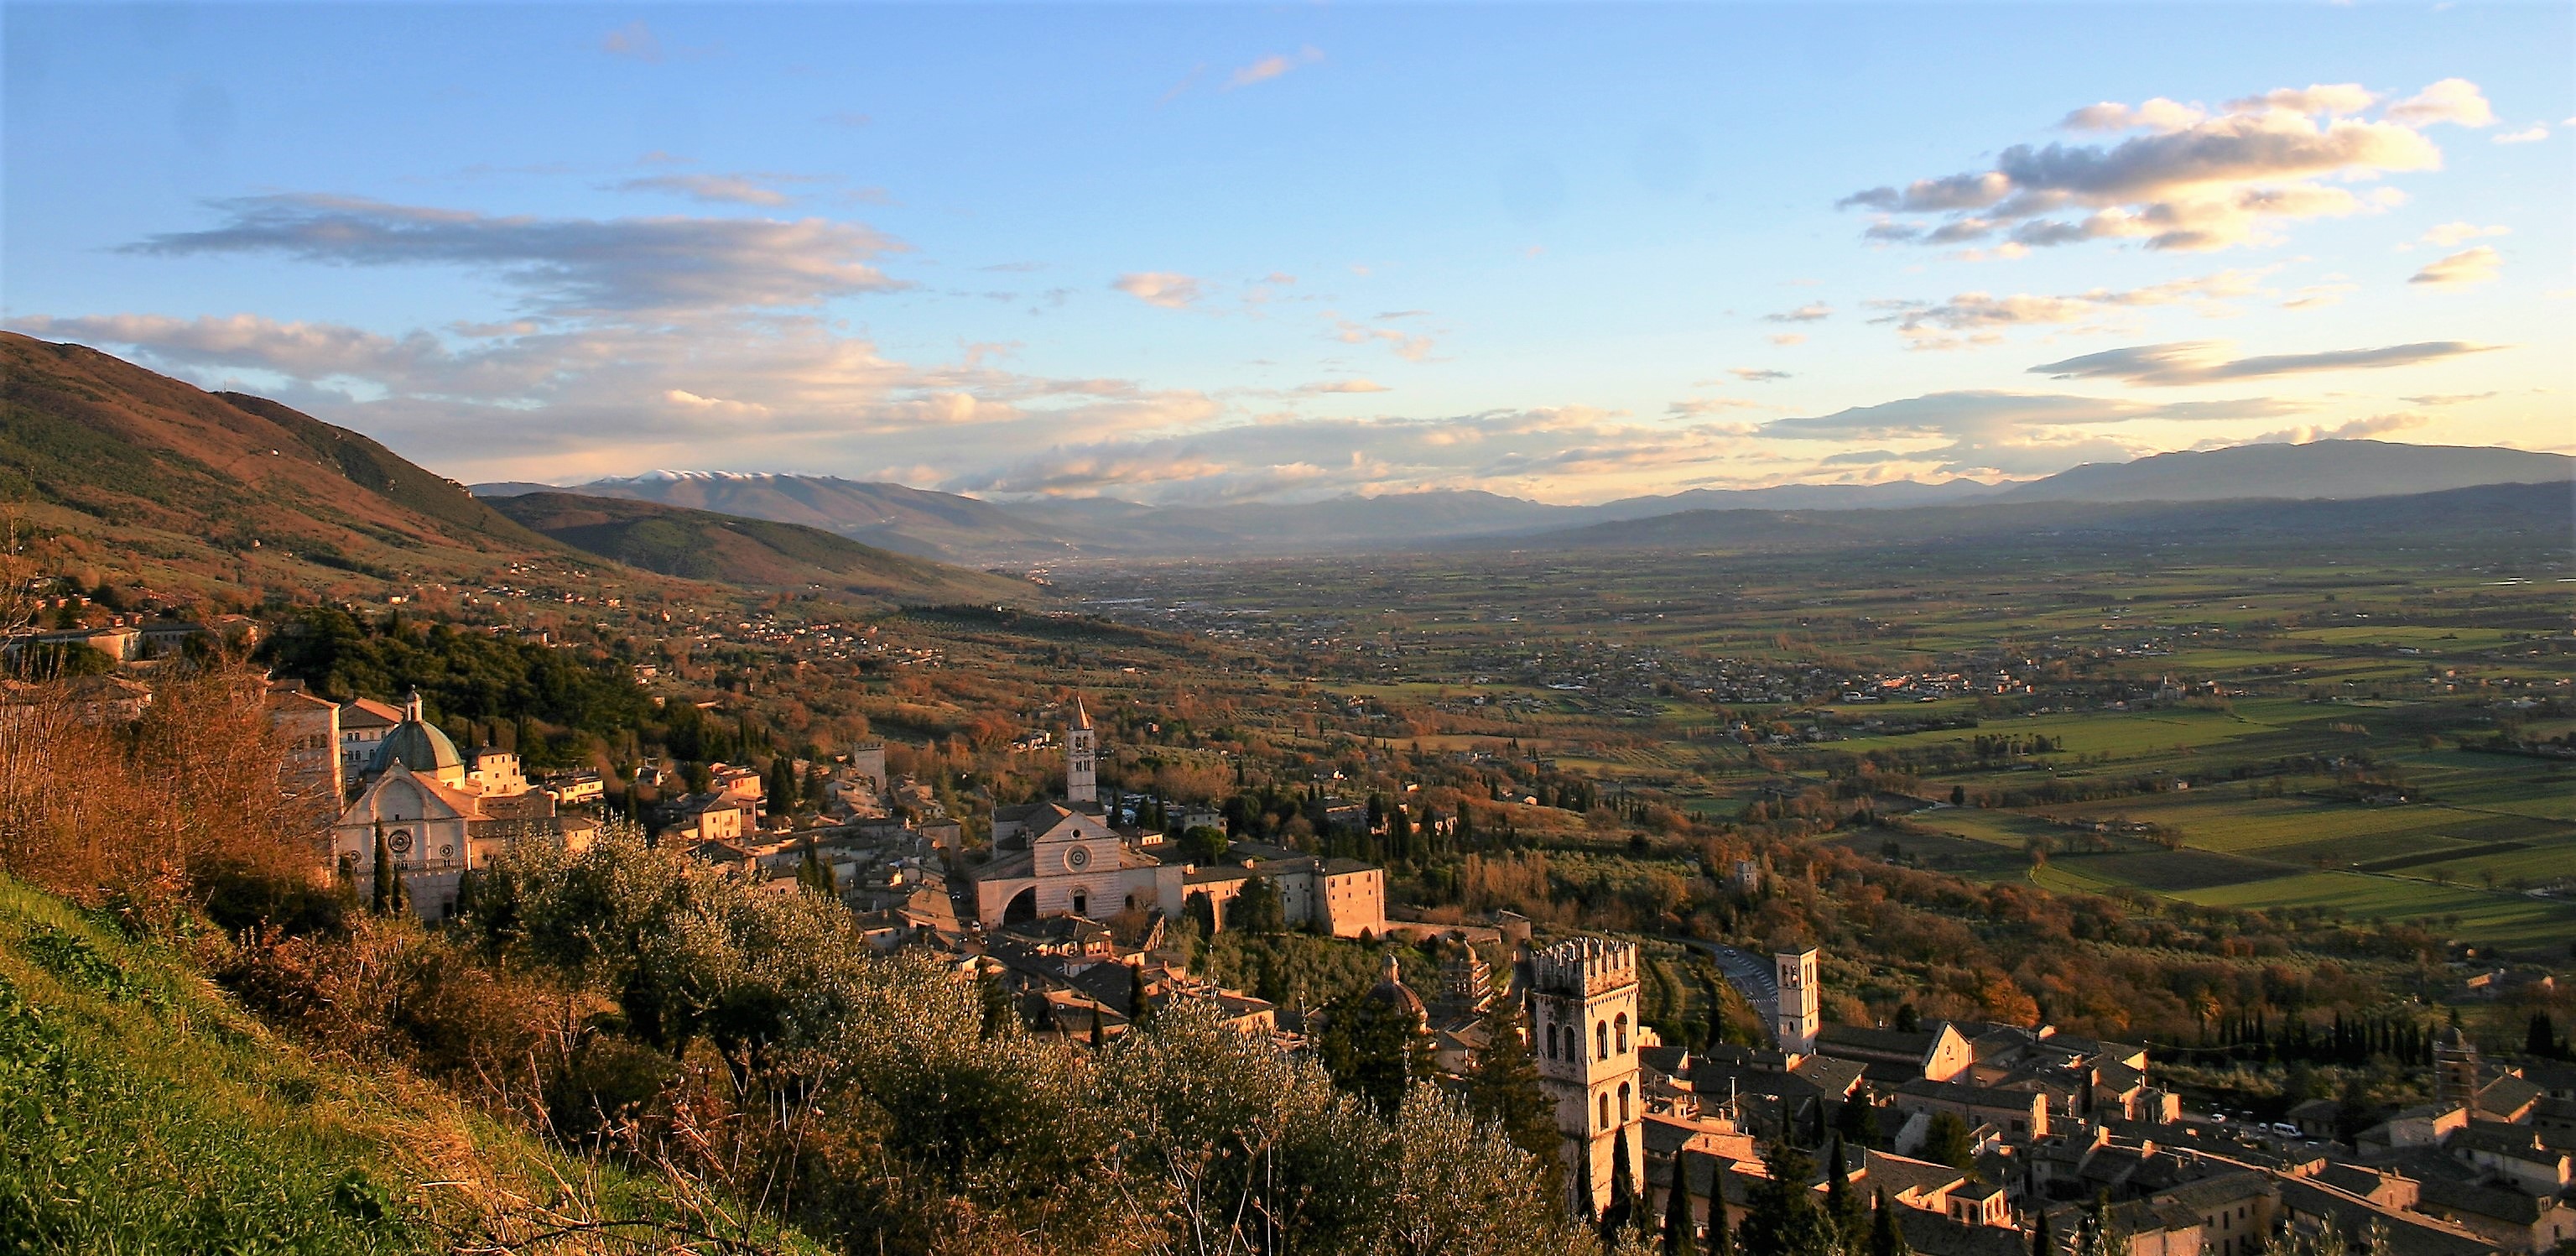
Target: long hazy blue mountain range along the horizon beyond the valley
967,530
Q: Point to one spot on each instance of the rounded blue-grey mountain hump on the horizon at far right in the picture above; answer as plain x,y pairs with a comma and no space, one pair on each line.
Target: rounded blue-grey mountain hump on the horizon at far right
2299,471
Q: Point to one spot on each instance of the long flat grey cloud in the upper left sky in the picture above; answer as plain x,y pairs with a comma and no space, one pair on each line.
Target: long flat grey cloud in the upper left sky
563,264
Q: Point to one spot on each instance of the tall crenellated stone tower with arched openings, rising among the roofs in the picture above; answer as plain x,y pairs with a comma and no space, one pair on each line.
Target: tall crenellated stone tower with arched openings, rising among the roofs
1583,1012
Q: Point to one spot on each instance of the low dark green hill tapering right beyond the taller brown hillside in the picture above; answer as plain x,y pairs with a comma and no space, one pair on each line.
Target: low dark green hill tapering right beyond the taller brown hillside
705,545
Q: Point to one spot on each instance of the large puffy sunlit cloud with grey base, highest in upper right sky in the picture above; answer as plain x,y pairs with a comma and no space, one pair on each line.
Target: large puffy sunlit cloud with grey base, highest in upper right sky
2191,179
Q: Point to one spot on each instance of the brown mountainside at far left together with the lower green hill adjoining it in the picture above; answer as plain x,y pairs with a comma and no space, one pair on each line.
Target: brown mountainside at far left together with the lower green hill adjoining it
225,489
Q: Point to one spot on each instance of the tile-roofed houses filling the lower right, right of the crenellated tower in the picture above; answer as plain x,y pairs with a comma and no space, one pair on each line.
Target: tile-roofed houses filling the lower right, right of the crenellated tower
2060,1126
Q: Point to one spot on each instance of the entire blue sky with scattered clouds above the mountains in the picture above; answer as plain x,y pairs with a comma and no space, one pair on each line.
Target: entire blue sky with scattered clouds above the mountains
1202,254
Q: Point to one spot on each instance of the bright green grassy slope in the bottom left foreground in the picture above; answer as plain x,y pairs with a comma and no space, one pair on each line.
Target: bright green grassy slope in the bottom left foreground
140,1110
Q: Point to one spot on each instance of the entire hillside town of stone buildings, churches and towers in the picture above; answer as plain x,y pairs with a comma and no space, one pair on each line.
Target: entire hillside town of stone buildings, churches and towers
1985,1133
